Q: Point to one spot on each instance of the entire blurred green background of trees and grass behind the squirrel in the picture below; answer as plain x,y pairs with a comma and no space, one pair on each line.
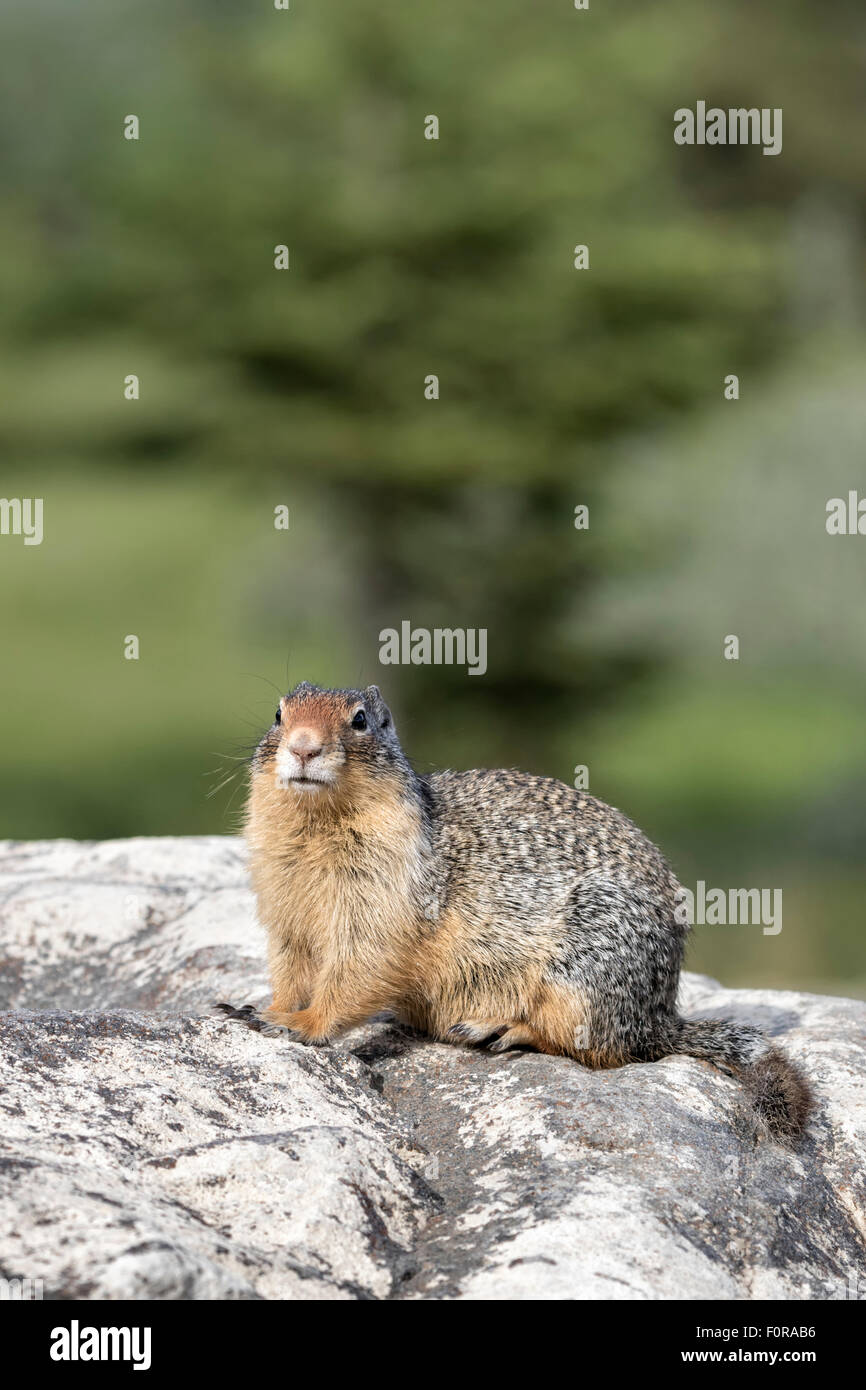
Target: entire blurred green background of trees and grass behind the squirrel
558,387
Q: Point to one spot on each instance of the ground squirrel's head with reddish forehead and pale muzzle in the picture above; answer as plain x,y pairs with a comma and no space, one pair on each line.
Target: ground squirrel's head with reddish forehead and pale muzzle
323,742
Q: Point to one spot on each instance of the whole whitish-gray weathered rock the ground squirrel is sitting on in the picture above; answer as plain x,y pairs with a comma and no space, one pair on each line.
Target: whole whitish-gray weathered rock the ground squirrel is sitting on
152,1152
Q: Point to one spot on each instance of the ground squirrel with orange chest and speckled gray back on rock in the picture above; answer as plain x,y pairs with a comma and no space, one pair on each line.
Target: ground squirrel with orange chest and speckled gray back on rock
479,907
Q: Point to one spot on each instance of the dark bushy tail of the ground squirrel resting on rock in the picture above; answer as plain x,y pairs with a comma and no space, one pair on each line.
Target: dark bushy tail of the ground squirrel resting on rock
776,1086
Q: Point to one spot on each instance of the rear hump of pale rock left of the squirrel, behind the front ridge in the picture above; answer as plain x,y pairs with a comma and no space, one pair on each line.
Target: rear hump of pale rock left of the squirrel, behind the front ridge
148,925
